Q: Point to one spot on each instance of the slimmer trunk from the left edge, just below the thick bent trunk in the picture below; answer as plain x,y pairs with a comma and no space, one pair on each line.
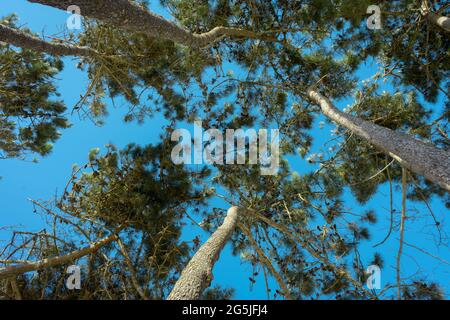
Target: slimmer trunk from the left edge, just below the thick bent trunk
23,40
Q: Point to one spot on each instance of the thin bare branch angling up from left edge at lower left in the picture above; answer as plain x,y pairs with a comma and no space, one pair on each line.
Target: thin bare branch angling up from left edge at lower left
55,261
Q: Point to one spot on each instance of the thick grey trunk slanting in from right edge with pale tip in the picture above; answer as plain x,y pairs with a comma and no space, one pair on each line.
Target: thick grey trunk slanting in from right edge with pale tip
419,157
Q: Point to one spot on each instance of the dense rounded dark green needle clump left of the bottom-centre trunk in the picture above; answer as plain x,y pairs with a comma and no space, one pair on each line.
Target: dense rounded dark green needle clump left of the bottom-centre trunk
136,187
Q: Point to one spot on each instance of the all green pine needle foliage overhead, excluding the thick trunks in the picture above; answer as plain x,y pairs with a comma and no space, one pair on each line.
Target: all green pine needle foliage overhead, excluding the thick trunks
300,222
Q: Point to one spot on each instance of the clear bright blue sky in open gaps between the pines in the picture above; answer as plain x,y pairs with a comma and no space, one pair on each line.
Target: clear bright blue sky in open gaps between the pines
23,179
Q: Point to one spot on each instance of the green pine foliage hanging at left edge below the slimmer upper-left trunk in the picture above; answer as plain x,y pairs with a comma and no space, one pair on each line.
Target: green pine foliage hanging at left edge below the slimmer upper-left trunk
30,118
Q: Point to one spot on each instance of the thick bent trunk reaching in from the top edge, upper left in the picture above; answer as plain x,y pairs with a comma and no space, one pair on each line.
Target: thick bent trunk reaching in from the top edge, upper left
128,15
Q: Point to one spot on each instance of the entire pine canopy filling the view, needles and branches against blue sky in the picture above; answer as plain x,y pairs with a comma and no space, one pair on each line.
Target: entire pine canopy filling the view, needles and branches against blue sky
293,61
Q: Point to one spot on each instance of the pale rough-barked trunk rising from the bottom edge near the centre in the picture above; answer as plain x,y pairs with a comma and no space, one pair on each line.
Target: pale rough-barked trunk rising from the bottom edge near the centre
197,275
